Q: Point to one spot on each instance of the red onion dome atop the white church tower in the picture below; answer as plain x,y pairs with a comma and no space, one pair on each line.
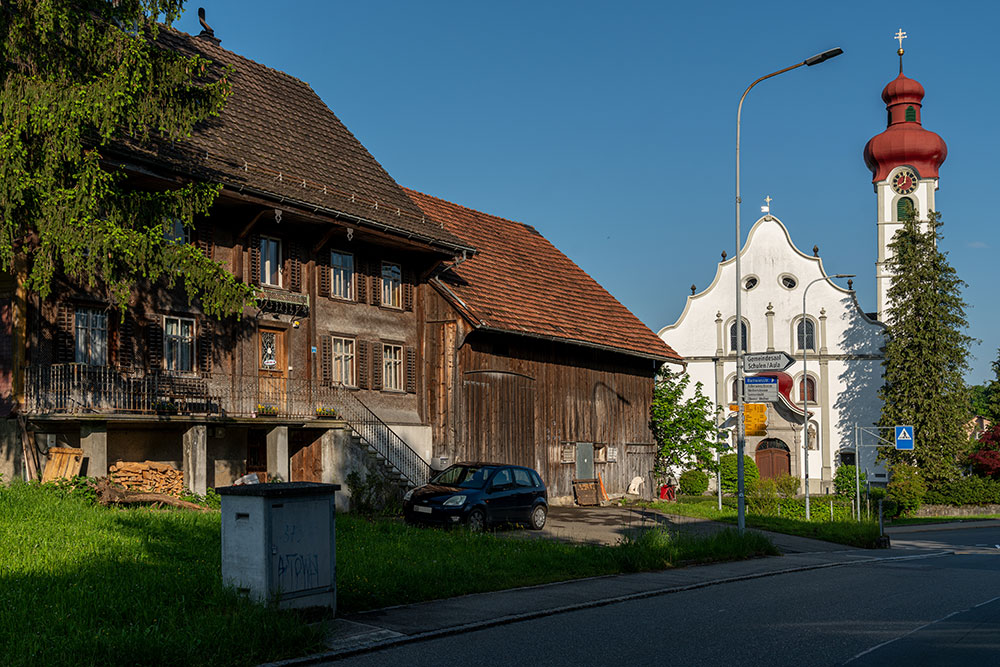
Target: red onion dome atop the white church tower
904,141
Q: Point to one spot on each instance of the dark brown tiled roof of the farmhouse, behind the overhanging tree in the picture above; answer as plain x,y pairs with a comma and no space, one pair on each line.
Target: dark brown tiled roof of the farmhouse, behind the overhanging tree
276,138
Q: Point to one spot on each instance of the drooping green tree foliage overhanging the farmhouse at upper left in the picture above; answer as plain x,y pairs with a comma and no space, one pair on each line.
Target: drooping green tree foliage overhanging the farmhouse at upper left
80,77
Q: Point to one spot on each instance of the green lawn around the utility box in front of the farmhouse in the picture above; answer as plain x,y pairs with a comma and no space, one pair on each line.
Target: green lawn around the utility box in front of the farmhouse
84,584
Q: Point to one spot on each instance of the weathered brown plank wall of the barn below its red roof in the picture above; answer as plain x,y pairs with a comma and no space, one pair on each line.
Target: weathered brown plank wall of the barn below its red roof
504,397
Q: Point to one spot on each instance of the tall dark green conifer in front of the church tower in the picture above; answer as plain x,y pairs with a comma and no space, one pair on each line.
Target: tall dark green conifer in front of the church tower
926,354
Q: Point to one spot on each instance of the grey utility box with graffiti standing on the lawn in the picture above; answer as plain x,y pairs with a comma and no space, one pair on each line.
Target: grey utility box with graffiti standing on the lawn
279,542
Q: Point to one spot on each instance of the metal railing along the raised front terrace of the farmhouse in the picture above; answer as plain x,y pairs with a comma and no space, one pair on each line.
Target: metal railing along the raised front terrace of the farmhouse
78,389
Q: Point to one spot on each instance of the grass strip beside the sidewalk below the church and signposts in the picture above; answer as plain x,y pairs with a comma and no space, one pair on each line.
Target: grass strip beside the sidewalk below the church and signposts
851,533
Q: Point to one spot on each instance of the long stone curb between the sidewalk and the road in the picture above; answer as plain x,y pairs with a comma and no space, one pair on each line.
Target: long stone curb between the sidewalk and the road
378,645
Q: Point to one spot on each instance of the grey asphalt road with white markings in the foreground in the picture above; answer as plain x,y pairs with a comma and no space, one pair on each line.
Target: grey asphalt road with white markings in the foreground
936,611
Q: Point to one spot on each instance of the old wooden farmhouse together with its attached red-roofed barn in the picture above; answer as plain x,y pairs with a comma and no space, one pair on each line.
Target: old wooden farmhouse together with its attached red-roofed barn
393,332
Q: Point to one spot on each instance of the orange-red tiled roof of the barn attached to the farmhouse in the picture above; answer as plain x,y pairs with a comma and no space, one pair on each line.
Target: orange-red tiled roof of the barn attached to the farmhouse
520,283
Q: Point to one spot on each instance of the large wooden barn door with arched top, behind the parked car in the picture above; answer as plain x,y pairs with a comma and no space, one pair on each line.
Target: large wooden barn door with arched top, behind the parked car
499,417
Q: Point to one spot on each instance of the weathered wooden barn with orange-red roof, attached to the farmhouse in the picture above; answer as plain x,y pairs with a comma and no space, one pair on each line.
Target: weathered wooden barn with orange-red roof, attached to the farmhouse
528,360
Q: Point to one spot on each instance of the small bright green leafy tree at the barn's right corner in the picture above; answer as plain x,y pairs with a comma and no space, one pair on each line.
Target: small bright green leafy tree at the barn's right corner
683,428
